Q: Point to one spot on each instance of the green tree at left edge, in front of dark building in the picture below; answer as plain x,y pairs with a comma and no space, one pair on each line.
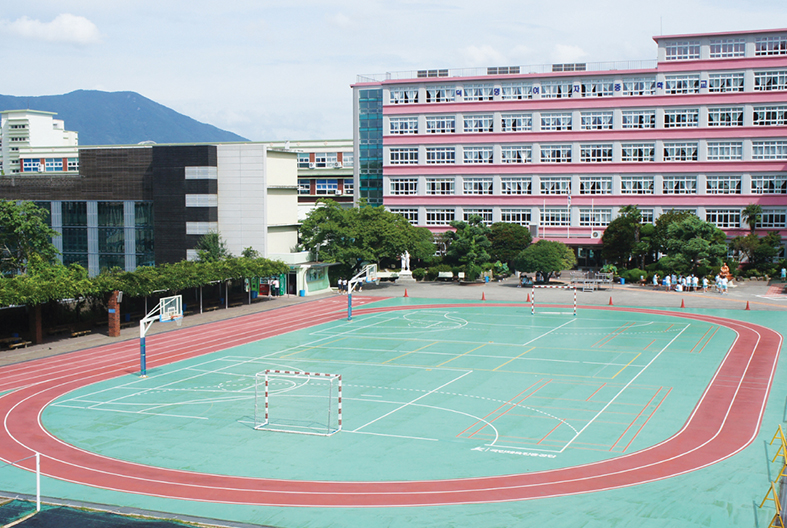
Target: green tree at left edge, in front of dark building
23,233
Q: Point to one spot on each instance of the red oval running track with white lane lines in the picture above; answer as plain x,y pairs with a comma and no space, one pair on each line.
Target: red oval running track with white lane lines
725,420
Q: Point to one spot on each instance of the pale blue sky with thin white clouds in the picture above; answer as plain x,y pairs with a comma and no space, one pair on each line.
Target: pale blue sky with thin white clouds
283,70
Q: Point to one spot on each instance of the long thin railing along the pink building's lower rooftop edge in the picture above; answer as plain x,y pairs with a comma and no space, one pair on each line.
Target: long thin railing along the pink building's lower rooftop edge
509,70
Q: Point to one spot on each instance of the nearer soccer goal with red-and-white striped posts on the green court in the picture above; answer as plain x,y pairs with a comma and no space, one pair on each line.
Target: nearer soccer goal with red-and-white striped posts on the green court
298,402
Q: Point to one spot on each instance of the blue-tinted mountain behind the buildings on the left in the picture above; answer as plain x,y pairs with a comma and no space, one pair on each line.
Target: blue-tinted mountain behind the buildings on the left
119,118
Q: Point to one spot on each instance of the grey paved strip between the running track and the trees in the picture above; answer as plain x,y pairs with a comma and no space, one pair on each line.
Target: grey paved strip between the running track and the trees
760,295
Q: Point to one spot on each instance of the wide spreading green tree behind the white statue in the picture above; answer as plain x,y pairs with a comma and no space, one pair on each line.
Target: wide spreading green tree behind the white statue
353,236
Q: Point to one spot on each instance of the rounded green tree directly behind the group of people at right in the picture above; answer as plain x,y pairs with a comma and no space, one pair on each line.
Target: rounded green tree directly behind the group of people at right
694,240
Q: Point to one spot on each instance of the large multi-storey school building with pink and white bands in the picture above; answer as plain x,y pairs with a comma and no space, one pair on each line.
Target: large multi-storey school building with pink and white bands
562,147
